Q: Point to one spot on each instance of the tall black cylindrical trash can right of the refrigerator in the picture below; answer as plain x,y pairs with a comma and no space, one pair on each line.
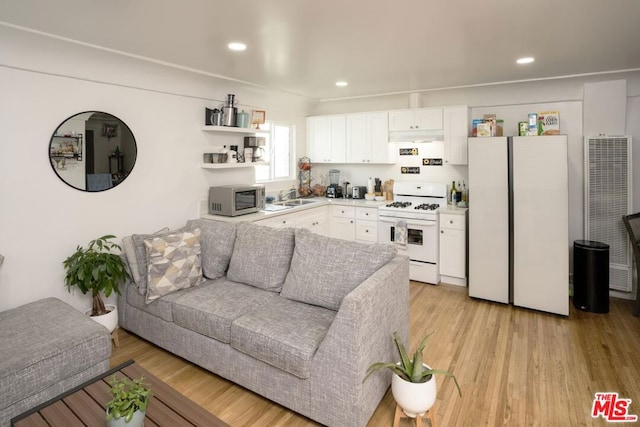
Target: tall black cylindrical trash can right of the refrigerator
591,276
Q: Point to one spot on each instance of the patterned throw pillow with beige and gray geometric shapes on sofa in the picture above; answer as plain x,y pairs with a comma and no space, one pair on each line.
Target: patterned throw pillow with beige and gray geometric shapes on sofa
174,263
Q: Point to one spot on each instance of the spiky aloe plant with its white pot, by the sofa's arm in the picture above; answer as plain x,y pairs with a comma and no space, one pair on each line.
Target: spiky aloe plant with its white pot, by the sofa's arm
413,384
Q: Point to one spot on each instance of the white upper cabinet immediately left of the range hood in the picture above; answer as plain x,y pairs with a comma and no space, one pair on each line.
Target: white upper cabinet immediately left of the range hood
368,138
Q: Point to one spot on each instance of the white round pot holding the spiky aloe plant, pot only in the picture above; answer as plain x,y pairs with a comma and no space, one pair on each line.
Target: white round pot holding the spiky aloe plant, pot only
414,398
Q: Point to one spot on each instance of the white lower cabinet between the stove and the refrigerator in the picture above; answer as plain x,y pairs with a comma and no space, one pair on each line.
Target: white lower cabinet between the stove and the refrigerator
453,249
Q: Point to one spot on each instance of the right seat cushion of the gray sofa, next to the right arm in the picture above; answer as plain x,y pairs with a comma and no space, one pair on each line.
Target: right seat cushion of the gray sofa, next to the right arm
283,333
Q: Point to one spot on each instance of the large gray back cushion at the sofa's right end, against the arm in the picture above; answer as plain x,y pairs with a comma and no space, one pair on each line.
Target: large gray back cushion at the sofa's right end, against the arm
324,270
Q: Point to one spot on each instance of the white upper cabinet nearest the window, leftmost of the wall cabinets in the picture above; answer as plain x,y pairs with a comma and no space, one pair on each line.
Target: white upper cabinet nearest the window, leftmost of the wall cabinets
326,139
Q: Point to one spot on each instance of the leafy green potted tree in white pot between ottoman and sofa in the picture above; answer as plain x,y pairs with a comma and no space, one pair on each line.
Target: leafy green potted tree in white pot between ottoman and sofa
98,270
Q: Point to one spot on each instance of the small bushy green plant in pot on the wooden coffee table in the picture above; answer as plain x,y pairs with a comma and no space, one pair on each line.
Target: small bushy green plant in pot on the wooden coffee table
128,406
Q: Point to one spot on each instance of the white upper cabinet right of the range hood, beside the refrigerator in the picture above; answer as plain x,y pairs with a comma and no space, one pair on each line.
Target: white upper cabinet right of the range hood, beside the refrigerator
456,134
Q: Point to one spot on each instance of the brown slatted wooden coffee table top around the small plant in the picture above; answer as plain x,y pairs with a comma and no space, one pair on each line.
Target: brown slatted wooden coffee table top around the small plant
85,405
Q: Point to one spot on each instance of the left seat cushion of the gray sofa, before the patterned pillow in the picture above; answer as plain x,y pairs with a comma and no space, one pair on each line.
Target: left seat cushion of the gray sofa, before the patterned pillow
210,309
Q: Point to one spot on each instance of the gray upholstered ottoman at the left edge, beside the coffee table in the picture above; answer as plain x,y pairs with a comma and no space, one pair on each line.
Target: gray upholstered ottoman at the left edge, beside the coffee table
46,348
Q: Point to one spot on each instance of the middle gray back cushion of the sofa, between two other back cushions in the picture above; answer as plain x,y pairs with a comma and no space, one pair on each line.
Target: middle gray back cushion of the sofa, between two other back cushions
261,256
